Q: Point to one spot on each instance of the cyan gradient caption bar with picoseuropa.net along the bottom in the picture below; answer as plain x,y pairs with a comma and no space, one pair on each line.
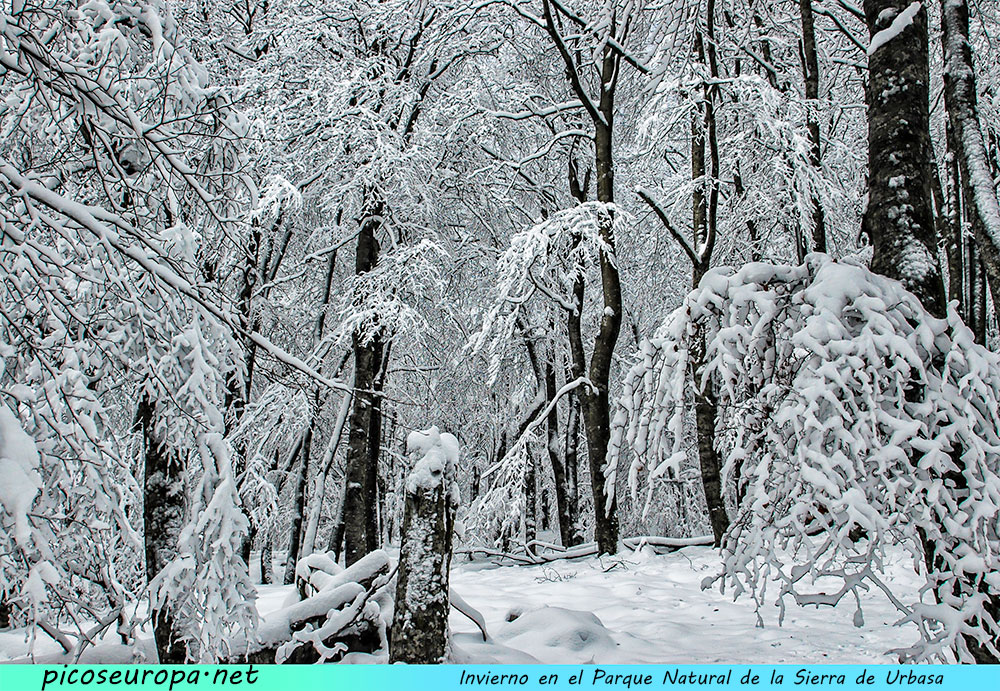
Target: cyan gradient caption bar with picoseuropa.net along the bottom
470,677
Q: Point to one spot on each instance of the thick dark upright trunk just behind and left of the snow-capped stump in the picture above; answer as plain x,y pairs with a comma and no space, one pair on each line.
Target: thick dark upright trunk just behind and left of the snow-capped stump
359,507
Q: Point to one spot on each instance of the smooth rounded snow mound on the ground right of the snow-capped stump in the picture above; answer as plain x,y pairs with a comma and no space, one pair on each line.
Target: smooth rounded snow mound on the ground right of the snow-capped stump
580,636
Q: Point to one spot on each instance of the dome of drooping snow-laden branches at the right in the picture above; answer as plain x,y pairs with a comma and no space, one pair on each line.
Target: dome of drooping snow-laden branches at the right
852,420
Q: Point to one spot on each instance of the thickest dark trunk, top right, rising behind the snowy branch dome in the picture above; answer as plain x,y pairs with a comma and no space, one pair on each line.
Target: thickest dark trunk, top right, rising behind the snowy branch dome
899,218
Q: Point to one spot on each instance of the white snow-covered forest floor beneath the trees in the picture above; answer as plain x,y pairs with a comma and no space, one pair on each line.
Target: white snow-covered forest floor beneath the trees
633,608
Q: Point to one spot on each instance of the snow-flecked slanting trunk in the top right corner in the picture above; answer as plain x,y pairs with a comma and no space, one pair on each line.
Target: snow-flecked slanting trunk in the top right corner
963,115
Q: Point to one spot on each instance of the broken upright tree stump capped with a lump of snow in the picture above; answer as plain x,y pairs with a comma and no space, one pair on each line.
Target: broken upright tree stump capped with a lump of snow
420,620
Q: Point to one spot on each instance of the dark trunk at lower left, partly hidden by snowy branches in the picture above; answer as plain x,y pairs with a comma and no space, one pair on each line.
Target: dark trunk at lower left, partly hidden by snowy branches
164,508
